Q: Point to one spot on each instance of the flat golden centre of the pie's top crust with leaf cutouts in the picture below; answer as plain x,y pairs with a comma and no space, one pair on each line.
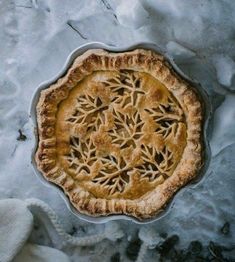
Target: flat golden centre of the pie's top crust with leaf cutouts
125,131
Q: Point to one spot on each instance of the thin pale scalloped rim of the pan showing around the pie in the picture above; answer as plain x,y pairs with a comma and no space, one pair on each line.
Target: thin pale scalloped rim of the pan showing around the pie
67,65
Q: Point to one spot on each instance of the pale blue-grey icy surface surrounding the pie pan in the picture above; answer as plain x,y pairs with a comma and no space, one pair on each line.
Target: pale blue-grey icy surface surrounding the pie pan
35,40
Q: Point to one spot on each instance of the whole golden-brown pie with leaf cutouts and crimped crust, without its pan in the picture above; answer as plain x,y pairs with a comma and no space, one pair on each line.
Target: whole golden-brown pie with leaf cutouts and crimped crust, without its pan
120,133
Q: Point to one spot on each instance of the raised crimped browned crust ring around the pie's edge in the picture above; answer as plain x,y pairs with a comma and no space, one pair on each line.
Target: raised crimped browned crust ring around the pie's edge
137,60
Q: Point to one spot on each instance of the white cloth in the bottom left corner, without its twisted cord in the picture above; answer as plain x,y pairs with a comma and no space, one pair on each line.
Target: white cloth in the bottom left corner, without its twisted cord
15,227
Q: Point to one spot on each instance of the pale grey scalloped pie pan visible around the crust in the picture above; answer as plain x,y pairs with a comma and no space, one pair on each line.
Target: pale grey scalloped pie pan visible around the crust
97,45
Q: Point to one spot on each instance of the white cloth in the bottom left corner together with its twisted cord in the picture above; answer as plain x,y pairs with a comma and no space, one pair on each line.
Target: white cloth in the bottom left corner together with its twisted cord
16,225
